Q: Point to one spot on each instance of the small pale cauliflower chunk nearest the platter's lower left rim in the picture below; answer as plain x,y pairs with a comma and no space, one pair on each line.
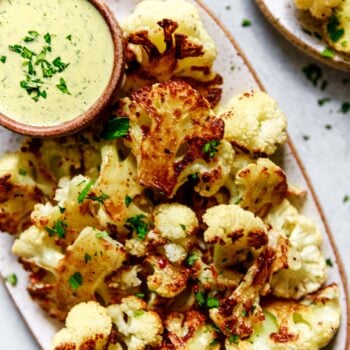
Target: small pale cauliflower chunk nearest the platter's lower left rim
35,246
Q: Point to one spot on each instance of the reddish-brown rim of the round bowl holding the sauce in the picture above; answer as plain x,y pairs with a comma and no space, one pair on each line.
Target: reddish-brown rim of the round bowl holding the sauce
95,111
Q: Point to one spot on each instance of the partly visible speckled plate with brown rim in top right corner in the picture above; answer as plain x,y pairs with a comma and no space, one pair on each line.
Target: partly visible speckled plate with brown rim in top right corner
301,29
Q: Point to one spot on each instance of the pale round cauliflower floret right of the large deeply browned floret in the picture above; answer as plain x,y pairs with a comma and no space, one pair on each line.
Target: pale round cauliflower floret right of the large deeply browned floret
254,123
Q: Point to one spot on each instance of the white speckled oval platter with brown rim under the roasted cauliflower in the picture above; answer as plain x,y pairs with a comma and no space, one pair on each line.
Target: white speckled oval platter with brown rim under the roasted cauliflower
236,81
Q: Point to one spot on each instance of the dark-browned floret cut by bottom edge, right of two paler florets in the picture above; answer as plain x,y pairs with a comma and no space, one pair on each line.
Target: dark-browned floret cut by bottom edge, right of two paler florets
189,331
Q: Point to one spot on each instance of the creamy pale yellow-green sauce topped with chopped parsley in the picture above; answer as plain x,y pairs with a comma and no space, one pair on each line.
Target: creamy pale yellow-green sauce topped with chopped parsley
73,31
